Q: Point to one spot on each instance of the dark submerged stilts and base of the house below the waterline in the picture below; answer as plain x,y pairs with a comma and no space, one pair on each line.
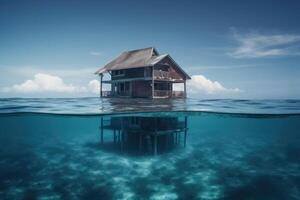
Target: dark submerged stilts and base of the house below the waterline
143,134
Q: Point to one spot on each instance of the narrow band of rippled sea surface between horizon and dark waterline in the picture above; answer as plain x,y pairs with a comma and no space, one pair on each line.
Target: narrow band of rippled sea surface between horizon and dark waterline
106,105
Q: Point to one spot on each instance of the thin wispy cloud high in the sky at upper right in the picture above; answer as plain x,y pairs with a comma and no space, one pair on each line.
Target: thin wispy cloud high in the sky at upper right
256,45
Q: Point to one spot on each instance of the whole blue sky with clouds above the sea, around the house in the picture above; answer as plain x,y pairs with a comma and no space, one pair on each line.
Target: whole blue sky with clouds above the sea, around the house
231,49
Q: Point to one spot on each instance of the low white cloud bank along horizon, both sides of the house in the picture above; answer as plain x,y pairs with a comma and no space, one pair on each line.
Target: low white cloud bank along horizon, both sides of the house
50,85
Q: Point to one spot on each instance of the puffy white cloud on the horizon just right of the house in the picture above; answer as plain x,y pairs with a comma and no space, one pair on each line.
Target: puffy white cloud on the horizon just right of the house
199,84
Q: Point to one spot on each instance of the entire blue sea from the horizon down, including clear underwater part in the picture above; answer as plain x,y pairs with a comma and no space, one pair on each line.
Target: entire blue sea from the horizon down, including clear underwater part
91,148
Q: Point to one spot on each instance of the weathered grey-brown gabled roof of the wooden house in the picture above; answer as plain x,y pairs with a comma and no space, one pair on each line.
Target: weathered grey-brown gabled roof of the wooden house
137,58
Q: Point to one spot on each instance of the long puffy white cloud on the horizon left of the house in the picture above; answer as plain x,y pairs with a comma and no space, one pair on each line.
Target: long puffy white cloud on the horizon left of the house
44,83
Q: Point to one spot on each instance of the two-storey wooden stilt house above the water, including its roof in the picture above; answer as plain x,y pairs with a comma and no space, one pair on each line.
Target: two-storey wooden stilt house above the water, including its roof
143,73
